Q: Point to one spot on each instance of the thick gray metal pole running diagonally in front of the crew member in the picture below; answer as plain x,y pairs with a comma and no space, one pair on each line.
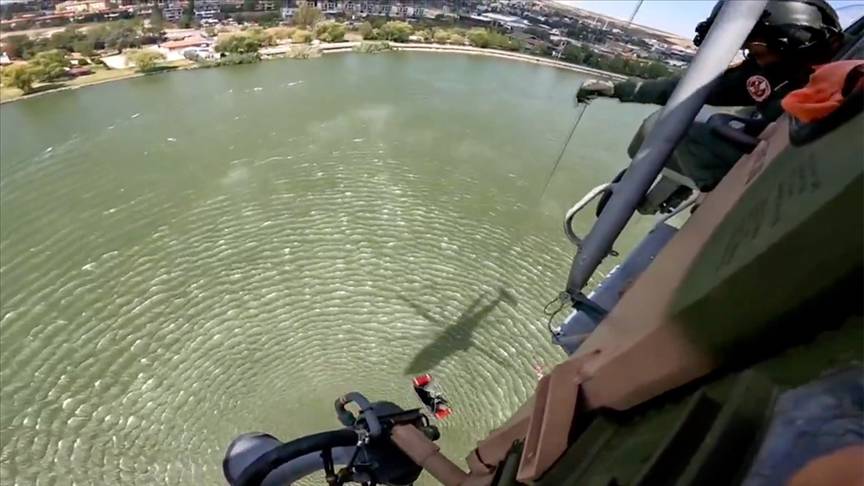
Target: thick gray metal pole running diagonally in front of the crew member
728,33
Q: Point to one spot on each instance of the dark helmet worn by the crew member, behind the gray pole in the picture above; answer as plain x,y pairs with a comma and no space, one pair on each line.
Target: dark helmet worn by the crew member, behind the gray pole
787,25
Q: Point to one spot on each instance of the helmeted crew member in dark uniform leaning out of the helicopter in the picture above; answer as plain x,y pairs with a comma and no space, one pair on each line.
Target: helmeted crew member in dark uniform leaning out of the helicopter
781,51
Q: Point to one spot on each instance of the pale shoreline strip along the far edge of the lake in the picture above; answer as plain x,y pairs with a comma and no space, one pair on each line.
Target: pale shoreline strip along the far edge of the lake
348,47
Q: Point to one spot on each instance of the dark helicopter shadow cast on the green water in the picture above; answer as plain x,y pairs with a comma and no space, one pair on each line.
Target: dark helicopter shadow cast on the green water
457,336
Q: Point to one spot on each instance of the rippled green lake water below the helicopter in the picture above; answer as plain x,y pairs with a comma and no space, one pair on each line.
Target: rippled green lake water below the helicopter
189,256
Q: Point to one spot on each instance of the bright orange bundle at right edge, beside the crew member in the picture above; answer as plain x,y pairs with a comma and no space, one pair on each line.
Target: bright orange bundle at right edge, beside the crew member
829,85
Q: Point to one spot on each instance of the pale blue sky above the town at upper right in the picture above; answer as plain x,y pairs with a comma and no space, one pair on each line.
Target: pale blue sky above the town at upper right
681,16
